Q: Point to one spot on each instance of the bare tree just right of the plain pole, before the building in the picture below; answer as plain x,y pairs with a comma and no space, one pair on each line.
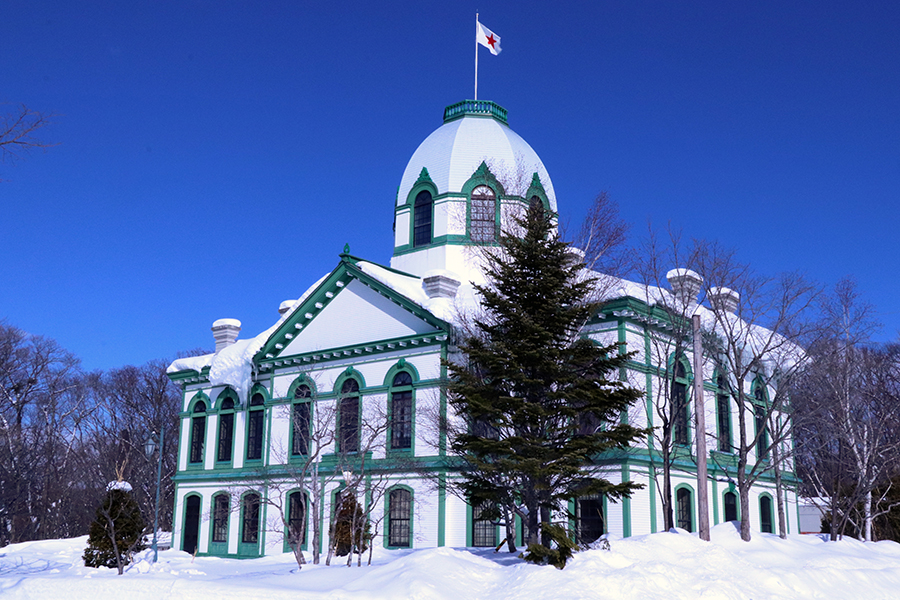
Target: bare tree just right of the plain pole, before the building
757,332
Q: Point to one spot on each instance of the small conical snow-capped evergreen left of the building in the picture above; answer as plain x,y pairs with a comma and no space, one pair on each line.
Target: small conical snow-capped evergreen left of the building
116,533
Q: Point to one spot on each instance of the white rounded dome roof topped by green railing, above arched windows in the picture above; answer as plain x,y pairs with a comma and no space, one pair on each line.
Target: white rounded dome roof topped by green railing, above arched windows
475,131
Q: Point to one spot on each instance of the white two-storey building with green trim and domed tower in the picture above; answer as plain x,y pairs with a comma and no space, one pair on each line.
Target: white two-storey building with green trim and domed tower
355,365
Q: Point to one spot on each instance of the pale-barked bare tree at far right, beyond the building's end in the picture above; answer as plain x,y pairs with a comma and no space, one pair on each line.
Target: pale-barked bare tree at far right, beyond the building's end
849,401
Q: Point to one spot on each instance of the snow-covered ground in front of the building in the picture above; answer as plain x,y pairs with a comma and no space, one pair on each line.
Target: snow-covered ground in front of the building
663,565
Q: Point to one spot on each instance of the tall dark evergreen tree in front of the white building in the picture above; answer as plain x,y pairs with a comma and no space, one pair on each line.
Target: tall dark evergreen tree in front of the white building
542,402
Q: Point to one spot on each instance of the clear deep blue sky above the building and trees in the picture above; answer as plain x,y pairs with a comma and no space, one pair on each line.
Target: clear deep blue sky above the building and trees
213,157
